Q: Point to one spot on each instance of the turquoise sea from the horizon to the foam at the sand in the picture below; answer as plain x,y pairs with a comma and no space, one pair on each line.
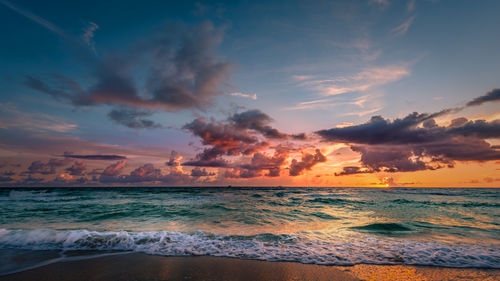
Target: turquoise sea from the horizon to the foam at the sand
342,226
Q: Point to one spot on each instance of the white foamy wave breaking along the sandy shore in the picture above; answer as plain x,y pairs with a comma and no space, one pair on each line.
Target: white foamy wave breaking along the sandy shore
268,247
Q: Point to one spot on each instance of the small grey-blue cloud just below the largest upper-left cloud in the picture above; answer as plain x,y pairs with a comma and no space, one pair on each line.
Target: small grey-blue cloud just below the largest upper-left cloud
133,118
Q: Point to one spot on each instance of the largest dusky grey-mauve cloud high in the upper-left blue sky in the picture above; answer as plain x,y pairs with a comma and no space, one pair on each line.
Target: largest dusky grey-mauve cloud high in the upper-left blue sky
183,72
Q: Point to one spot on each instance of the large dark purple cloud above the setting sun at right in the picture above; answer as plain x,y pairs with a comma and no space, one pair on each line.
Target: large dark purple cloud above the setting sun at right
416,143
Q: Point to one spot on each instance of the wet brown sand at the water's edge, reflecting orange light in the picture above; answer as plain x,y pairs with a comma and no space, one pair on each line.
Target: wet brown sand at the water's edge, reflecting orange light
137,266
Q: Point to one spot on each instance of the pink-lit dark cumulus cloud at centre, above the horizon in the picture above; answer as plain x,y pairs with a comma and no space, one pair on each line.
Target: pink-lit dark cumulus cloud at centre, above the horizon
244,134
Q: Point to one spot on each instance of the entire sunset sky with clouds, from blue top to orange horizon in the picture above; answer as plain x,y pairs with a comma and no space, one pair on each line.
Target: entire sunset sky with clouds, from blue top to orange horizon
370,93
